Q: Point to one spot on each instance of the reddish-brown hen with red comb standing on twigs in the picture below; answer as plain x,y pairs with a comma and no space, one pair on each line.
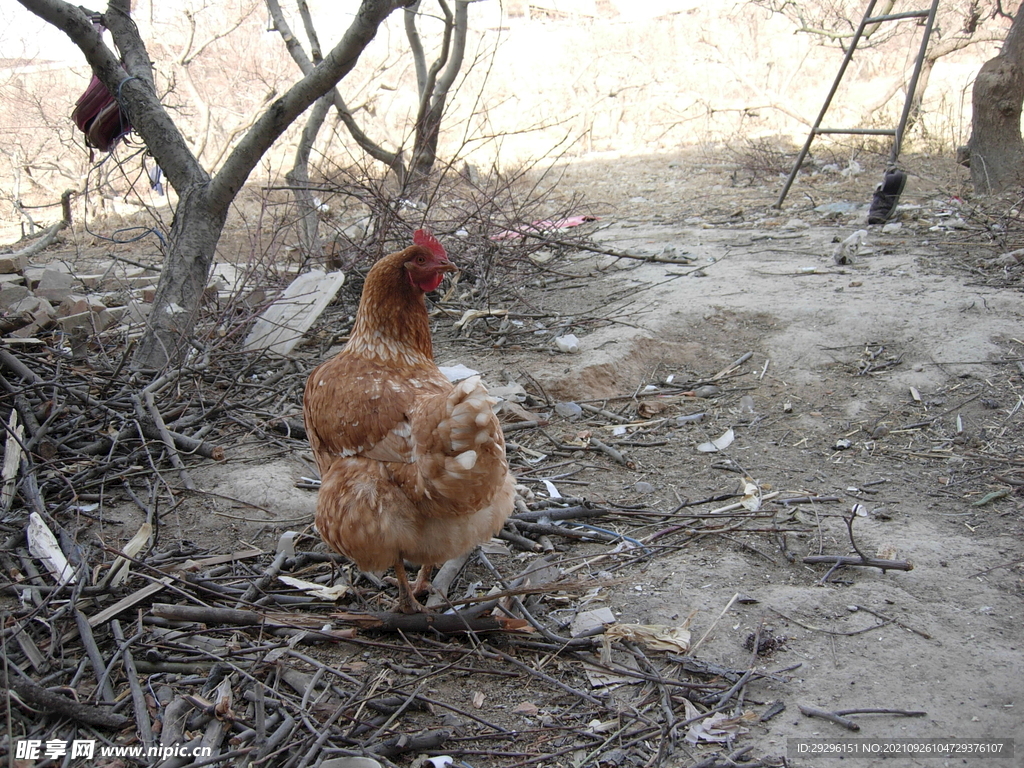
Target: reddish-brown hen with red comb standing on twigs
412,466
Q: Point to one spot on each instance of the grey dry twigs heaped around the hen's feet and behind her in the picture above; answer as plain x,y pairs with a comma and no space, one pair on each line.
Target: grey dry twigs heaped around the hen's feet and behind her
174,650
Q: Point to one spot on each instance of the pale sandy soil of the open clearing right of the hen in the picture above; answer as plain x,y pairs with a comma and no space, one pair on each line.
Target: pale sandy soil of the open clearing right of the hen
769,284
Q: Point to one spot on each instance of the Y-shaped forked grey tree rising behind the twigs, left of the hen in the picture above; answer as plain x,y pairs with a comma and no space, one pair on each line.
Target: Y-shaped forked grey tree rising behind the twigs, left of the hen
204,200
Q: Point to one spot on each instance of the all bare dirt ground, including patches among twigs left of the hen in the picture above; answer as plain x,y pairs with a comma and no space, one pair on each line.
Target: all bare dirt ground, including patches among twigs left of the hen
893,382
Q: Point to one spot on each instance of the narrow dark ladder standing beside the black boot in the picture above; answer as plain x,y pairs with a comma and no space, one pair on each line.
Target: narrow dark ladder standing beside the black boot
898,133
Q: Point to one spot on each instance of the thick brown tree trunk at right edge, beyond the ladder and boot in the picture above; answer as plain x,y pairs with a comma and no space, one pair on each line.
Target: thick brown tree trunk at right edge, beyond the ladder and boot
996,146
